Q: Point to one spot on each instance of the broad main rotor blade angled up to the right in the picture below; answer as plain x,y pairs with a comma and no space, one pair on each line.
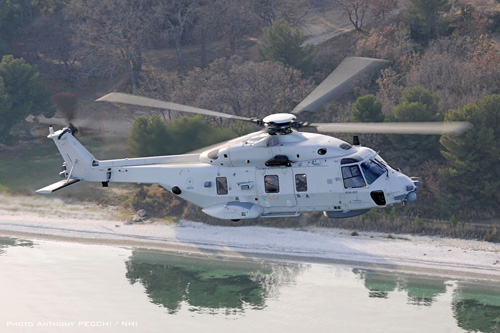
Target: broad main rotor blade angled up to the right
338,82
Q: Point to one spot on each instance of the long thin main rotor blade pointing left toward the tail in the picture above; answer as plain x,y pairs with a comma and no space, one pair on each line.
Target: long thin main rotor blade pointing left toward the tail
154,103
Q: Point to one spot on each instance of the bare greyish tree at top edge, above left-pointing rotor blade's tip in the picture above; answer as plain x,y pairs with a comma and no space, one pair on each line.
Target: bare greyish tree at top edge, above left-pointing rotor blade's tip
110,33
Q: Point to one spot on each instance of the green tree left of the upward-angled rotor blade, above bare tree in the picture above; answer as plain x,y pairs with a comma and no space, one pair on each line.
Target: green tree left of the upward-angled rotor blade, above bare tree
283,45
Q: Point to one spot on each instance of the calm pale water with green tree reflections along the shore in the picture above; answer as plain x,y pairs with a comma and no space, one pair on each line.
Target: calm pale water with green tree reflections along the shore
67,287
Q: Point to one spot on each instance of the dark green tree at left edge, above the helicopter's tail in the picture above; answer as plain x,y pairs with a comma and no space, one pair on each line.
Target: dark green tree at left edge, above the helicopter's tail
23,92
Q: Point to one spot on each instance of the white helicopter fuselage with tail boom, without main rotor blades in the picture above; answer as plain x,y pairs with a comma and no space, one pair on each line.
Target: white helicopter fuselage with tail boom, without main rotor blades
257,175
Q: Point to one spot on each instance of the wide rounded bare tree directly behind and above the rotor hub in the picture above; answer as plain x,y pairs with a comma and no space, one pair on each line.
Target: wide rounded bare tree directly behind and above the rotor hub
243,88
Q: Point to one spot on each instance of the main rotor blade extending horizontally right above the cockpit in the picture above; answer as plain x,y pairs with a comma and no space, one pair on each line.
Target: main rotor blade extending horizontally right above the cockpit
423,128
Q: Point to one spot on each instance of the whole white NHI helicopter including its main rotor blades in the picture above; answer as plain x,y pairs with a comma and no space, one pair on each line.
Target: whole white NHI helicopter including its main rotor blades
275,172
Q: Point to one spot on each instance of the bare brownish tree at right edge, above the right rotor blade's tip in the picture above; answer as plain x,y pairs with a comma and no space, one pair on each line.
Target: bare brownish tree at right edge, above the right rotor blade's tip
462,69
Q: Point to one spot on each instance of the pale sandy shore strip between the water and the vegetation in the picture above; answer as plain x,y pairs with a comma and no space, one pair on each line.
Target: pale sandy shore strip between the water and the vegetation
52,219
